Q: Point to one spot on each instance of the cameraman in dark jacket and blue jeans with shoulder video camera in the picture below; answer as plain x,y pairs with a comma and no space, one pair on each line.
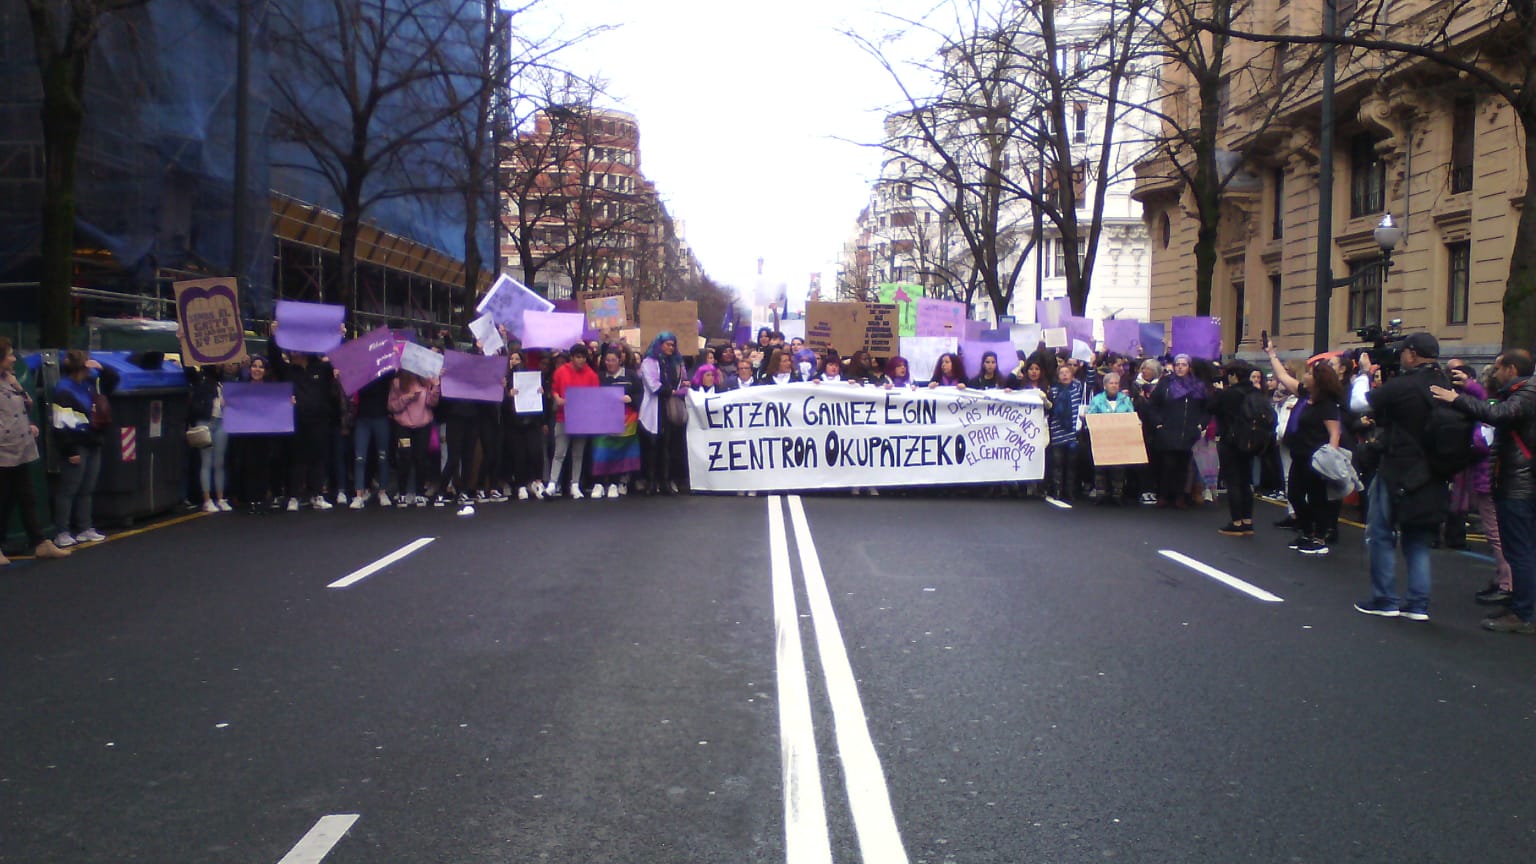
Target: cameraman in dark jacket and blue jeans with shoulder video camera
1406,500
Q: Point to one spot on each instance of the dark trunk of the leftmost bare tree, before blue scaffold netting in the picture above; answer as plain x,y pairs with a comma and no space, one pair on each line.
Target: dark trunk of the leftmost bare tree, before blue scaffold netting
64,36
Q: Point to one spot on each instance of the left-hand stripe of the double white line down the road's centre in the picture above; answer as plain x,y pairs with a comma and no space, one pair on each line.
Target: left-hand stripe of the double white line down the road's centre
807,840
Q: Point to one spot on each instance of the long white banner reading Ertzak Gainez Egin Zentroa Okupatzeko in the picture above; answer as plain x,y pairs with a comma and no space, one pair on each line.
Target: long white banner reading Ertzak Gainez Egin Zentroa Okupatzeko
838,437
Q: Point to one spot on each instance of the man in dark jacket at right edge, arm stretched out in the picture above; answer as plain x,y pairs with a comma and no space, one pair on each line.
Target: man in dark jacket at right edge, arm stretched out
1514,480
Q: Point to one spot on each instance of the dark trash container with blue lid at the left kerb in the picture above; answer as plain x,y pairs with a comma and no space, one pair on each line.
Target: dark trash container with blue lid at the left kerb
145,451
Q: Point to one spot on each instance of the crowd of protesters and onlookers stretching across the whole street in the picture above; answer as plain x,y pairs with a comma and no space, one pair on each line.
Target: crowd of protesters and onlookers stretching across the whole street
1305,434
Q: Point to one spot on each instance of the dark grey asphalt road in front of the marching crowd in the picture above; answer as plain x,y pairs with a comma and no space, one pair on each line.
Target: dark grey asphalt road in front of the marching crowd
604,682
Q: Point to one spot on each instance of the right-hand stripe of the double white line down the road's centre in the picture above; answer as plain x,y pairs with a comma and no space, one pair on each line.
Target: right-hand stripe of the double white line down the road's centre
869,797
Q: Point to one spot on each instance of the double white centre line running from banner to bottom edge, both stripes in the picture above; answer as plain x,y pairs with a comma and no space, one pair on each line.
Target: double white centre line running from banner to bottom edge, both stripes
807,839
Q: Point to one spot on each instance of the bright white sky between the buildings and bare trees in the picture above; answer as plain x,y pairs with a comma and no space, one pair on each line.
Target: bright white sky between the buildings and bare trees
741,108
